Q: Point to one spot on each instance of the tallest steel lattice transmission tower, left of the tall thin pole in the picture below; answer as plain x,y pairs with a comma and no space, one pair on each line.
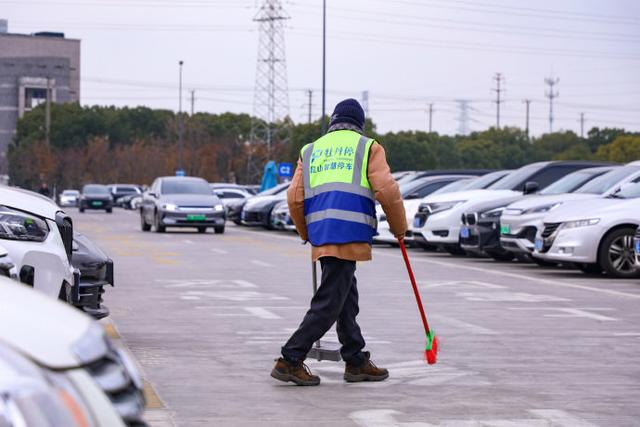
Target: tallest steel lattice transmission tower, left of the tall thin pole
271,93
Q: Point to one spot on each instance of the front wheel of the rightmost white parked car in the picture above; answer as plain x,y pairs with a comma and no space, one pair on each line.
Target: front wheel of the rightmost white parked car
616,255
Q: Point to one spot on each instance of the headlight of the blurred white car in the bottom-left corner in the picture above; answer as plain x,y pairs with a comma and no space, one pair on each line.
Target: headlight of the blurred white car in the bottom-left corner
30,395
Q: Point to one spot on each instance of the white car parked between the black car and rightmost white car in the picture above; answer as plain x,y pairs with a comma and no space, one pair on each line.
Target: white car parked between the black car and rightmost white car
521,220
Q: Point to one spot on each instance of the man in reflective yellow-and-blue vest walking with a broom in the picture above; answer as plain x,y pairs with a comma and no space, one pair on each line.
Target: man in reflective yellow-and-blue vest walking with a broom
332,203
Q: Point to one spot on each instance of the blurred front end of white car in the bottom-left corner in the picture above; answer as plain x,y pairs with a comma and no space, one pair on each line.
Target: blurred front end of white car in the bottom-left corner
59,368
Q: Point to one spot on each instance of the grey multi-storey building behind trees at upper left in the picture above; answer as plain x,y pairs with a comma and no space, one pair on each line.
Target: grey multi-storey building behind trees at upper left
33,68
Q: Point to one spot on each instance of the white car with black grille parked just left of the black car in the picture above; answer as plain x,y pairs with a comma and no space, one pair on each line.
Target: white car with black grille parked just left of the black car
438,222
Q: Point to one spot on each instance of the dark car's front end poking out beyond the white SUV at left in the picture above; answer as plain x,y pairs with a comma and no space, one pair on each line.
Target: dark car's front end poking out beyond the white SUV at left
96,272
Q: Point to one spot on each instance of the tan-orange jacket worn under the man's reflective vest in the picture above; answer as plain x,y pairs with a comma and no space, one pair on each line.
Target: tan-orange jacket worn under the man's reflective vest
386,191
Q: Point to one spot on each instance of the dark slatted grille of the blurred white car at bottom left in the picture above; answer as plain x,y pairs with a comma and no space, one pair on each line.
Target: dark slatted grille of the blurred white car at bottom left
112,377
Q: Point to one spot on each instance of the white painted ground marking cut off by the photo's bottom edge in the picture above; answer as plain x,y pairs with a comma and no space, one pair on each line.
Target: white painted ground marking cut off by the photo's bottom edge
545,417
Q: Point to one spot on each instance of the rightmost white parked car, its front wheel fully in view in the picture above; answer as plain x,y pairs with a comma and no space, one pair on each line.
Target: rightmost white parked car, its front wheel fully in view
595,234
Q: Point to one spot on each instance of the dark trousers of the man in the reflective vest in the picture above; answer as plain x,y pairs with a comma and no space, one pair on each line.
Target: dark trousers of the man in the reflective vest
335,301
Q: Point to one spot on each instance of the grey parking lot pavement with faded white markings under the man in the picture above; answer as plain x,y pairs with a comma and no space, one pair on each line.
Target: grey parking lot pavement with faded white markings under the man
205,315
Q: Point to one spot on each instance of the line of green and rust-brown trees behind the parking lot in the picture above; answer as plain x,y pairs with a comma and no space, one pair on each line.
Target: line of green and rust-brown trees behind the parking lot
109,144
